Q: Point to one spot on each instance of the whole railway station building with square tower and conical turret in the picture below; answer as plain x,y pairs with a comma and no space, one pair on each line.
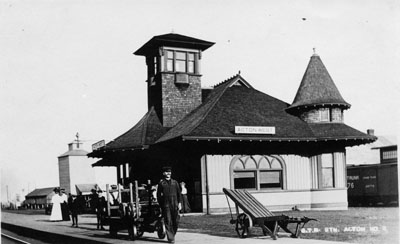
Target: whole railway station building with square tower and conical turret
234,136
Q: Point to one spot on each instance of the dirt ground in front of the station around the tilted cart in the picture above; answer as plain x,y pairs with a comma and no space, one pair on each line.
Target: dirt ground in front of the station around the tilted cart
356,225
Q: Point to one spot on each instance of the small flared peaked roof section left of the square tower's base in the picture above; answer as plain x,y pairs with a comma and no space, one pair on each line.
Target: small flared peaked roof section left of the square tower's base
143,134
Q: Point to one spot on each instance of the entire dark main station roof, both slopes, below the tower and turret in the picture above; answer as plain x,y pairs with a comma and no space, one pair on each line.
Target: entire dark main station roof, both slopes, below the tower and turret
231,103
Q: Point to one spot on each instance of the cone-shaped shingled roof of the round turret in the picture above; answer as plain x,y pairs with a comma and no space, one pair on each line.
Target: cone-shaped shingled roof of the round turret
317,87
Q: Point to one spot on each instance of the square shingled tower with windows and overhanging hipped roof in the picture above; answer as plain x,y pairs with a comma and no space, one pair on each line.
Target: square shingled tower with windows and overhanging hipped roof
173,75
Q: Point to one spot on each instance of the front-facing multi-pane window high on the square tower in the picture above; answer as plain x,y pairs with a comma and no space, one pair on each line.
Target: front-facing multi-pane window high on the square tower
180,61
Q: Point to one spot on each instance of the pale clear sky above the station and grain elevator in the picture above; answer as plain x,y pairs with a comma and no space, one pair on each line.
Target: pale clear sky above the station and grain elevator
68,66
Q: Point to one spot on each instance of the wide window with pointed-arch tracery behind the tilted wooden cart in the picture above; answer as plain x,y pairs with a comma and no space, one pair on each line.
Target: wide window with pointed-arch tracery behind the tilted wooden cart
268,172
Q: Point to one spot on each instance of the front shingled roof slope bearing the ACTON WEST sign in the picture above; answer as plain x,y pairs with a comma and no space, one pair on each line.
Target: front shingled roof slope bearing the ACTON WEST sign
232,103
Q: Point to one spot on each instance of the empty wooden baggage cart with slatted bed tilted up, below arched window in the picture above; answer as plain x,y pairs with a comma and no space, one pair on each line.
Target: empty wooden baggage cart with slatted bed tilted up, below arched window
256,214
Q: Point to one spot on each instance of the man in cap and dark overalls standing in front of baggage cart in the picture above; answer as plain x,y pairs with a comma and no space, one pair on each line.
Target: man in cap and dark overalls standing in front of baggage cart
169,198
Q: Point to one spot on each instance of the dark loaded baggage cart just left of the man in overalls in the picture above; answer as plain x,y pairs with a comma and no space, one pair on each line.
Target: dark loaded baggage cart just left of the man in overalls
134,209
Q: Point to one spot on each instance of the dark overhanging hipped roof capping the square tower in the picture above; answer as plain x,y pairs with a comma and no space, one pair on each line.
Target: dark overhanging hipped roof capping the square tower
172,40
